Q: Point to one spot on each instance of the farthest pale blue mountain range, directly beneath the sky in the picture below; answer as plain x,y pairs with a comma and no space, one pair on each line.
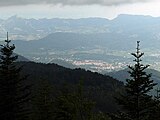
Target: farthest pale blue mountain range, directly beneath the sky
128,26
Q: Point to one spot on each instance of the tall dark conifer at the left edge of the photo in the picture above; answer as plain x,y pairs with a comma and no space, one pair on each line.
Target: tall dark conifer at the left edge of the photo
14,94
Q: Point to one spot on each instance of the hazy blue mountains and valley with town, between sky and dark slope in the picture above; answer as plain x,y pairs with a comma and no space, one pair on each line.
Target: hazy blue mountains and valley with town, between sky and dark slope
96,44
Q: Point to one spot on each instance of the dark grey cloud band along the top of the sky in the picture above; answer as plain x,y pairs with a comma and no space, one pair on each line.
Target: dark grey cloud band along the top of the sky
68,2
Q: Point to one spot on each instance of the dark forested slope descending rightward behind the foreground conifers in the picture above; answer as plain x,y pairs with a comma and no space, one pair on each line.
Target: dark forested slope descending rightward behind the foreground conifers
98,87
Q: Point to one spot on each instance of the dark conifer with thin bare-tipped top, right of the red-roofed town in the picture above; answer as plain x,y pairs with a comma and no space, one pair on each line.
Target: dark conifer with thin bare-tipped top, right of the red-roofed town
136,101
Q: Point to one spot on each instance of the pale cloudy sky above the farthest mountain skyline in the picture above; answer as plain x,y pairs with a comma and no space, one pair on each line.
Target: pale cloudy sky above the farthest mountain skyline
77,8
